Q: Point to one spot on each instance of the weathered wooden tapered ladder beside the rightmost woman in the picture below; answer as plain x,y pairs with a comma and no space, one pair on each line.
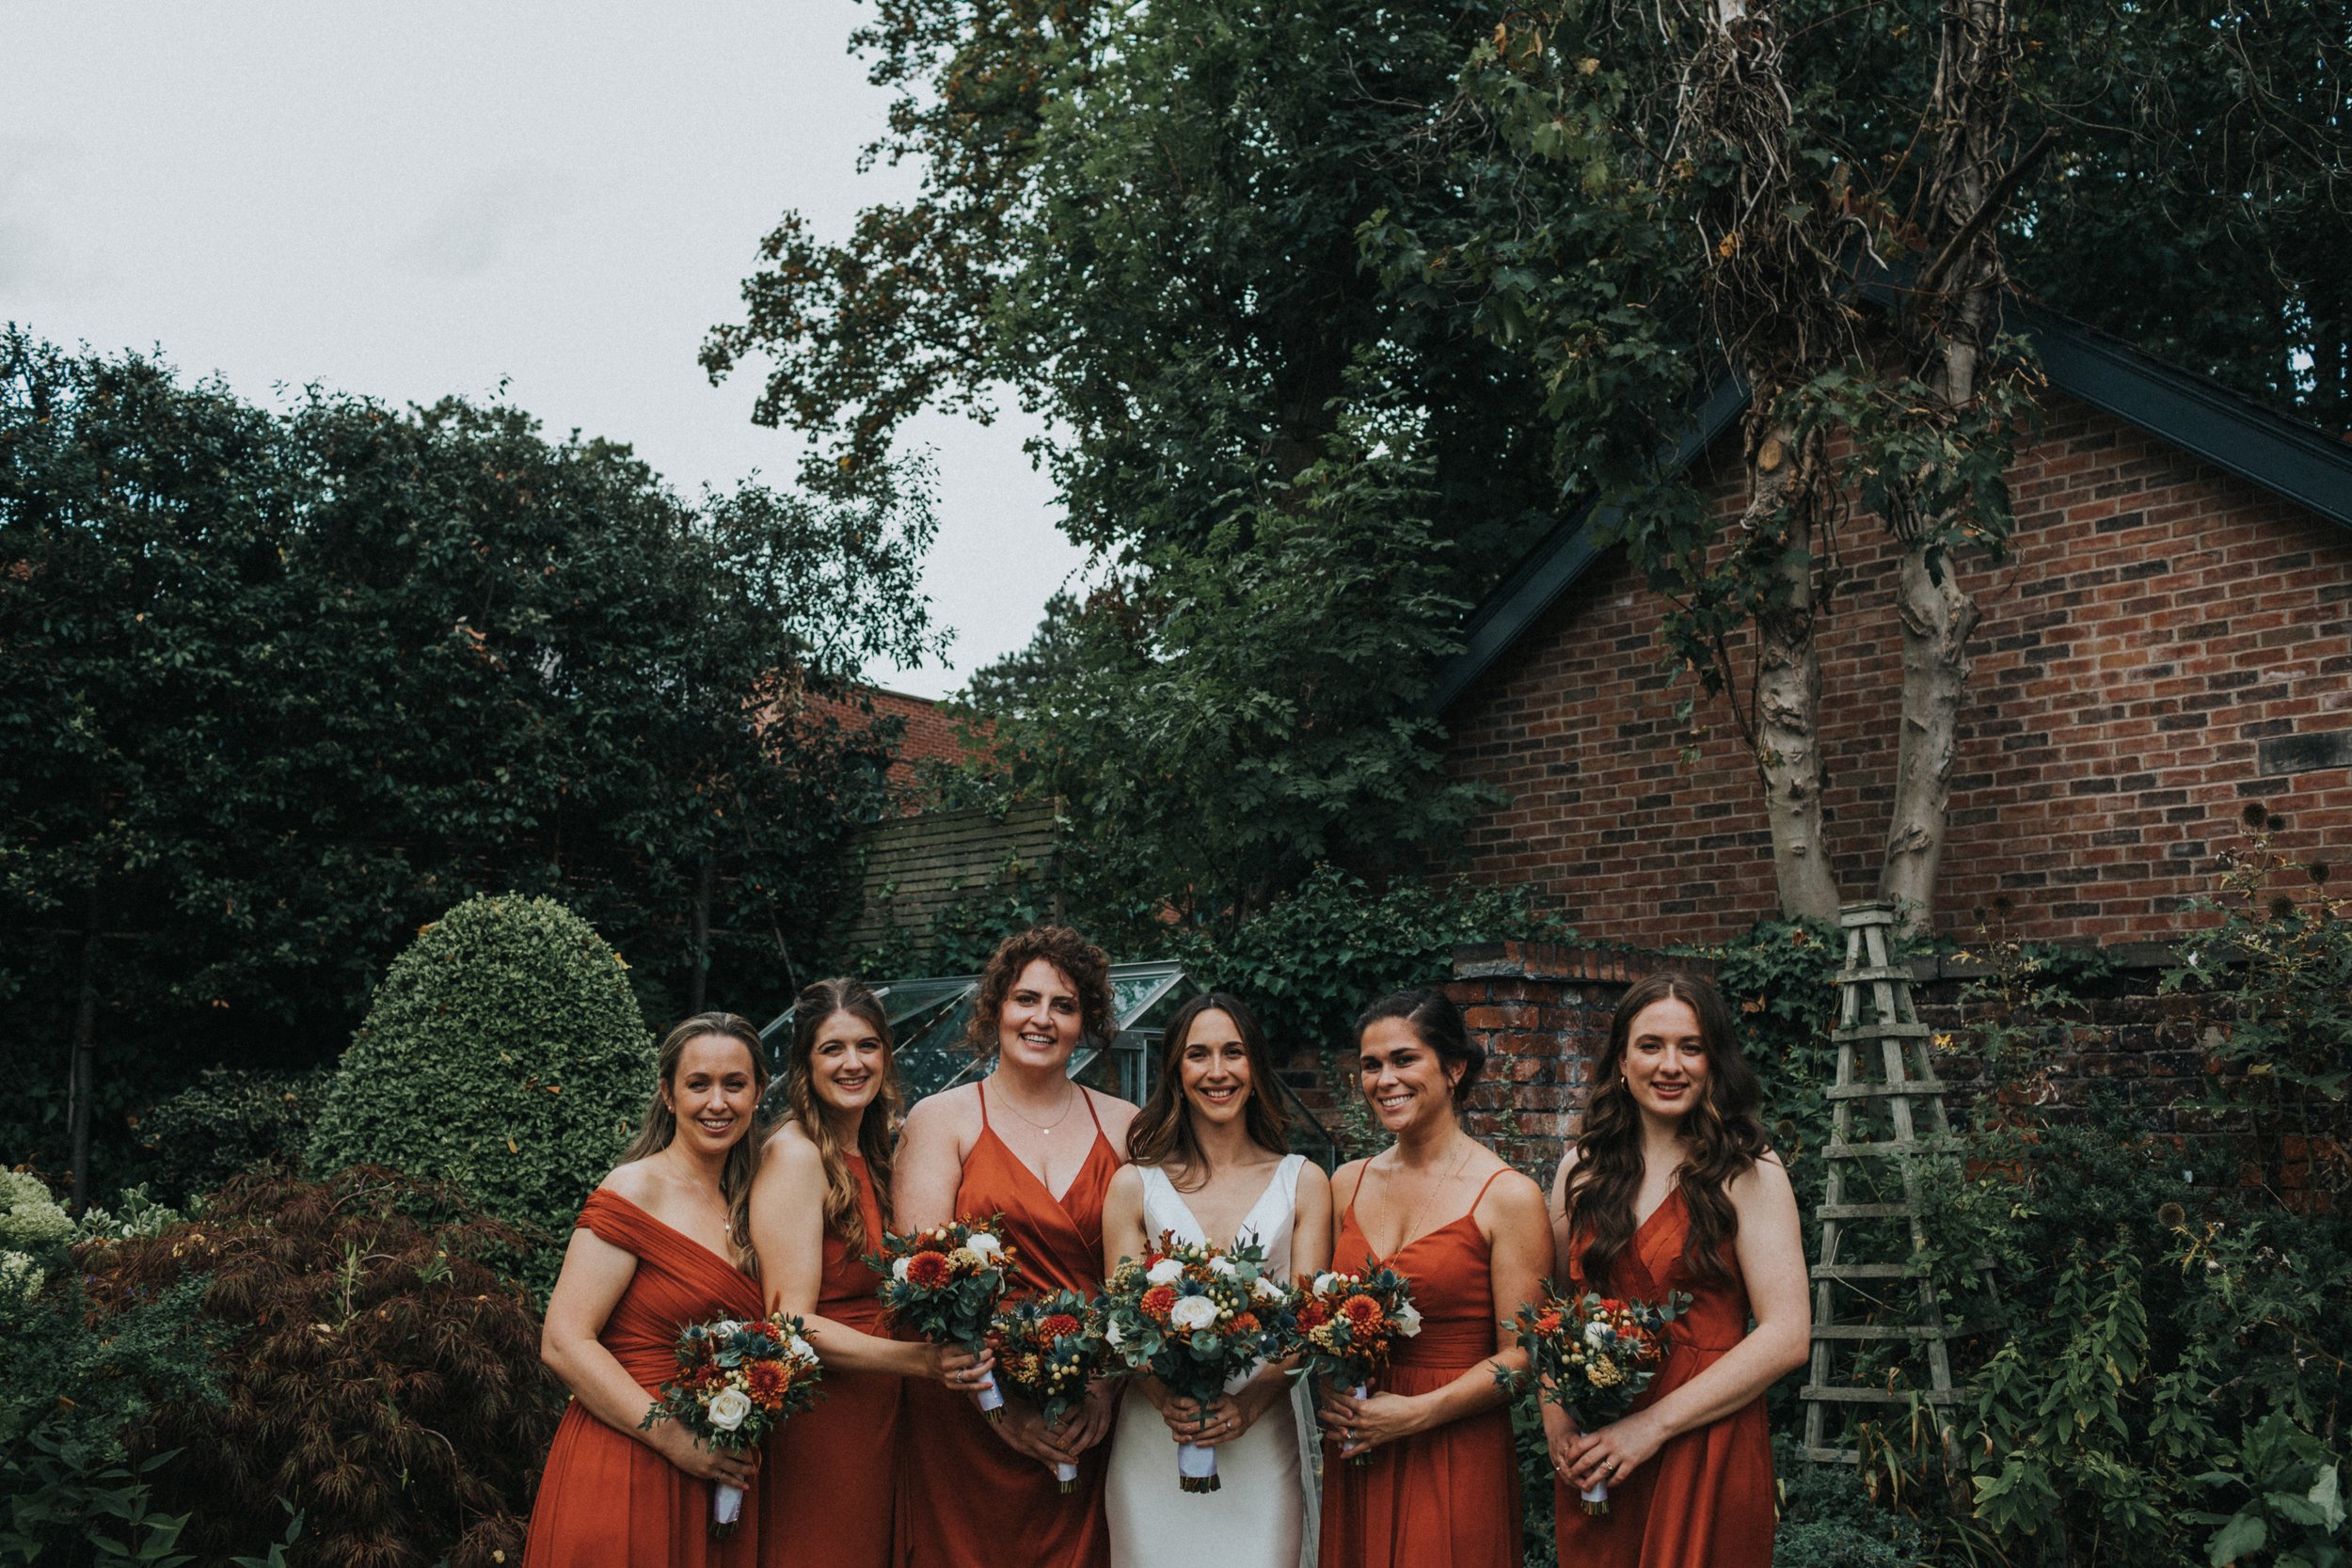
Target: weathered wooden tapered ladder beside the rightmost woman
1869,1332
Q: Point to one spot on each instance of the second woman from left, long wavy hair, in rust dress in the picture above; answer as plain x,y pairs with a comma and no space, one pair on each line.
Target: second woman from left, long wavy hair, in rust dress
829,1489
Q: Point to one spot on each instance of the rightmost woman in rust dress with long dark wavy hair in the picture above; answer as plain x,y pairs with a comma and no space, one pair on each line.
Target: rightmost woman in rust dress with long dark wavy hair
1671,1188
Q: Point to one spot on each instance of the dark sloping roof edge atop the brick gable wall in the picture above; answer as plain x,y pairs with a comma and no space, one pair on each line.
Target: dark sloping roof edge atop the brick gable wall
2184,408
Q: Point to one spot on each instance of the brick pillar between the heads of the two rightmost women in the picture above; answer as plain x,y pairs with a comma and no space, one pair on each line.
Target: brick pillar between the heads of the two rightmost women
1542,1010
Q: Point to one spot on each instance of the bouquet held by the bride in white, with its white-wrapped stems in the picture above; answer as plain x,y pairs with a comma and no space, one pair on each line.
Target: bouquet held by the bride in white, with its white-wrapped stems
1196,1318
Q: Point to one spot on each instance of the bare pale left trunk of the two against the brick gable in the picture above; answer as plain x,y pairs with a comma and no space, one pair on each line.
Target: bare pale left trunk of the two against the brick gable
1789,685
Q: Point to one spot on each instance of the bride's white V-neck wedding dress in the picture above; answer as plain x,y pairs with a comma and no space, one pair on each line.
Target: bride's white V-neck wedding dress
1264,1510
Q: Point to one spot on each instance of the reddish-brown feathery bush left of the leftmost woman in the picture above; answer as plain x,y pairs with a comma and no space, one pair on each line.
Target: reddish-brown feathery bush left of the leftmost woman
385,1381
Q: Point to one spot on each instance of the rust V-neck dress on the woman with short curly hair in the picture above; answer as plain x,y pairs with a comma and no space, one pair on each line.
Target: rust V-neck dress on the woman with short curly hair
968,1501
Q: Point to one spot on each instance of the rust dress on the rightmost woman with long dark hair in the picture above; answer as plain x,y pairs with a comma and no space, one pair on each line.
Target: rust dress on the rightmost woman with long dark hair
1706,1501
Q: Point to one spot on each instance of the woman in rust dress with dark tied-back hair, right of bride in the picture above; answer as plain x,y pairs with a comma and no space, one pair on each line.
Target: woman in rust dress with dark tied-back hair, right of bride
1469,1233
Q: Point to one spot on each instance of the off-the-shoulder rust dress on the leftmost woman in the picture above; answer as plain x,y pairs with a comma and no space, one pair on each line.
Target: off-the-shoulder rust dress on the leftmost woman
606,1499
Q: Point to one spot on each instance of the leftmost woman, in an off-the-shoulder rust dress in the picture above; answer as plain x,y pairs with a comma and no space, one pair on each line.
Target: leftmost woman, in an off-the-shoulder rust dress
657,1247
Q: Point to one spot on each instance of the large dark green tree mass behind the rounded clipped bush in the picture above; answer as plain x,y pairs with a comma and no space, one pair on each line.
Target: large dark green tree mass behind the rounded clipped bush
281,688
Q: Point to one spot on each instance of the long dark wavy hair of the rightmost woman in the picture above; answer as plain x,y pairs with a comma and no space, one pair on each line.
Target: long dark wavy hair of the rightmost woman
1723,1132
